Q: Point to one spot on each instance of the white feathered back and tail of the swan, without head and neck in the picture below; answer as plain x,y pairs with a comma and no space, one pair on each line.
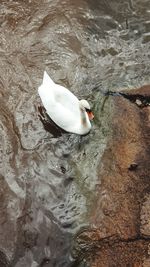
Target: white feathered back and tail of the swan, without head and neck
61,105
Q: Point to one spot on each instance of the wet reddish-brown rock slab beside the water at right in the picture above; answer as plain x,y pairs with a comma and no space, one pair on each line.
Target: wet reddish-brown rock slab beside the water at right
120,236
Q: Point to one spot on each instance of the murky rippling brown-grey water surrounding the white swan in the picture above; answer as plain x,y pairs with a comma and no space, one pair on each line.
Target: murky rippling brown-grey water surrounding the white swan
48,182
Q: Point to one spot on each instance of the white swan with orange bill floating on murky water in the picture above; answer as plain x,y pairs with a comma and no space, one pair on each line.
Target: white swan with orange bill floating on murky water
64,108
